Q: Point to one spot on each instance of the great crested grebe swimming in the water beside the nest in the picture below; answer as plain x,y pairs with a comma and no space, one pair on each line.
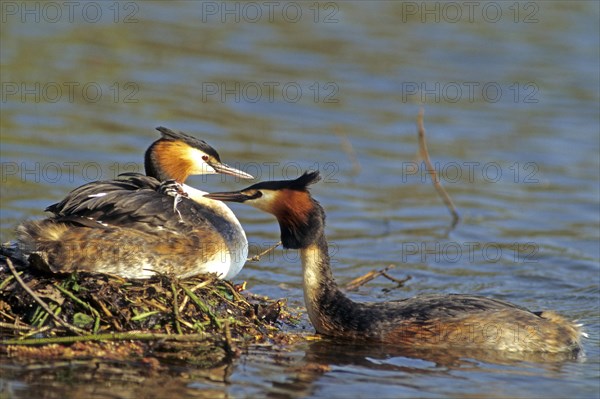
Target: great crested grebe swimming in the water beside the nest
455,320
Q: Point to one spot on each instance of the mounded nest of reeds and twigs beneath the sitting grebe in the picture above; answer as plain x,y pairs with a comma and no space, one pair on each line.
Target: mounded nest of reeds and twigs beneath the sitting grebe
200,319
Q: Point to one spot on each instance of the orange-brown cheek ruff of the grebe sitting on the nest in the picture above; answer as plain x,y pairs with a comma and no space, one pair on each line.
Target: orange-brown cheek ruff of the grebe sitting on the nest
174,159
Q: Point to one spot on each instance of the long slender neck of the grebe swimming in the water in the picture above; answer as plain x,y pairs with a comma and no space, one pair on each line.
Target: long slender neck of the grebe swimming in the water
329,310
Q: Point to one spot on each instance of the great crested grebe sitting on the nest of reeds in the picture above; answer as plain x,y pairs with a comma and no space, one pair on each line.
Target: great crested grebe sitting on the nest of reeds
134,226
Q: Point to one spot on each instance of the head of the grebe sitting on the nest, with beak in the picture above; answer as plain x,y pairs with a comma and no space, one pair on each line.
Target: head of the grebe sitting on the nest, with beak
177,155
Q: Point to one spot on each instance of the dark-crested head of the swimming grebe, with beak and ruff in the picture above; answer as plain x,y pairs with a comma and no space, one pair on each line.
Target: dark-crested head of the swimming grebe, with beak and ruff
301,218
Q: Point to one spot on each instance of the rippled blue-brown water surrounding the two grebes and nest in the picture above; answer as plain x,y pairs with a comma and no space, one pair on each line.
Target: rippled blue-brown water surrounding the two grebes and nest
511,109
